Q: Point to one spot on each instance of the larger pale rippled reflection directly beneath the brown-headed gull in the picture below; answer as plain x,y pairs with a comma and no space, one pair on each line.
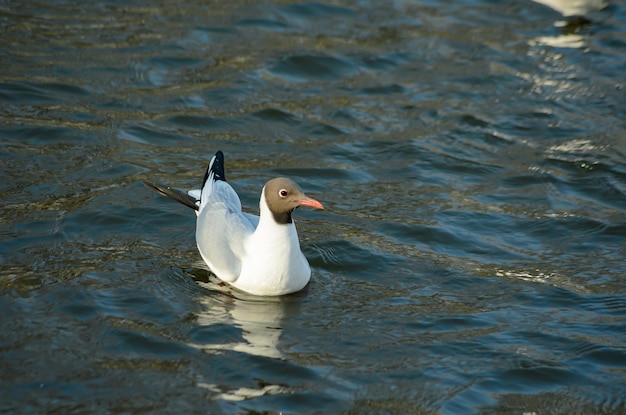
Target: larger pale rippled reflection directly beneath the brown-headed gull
259,319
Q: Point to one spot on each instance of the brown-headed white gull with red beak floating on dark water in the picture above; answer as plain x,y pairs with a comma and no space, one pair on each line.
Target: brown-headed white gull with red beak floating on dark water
257,254
